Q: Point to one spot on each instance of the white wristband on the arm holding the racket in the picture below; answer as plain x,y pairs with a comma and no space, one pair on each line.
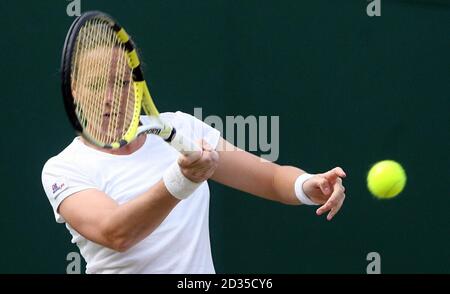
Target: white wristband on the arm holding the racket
177,184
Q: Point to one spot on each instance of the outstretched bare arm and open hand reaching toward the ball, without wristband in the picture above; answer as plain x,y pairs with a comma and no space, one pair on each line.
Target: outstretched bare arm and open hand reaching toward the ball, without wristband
246,172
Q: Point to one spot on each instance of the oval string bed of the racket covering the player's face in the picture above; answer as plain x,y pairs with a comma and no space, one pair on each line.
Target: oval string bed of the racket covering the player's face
103,92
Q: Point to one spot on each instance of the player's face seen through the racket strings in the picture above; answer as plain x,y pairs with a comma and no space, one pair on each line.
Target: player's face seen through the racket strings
106,83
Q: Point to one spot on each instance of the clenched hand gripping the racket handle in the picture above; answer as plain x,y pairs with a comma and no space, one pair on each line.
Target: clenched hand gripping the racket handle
199,166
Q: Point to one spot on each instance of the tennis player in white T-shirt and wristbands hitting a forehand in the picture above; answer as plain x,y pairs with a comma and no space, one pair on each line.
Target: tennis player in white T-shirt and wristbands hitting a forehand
143,207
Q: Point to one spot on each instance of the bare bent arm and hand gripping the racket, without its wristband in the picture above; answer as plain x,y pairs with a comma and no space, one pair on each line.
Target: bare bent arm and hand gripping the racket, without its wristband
98,218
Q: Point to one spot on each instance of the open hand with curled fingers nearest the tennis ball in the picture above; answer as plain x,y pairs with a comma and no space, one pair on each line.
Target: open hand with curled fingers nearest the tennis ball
327,189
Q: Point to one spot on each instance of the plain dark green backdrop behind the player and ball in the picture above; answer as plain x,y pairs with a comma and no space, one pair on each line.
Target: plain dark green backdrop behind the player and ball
349,90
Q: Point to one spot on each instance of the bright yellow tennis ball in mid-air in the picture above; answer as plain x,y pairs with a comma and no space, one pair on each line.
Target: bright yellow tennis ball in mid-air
386,179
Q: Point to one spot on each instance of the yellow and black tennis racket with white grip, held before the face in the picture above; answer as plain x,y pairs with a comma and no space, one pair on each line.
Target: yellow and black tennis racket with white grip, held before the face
104,89
